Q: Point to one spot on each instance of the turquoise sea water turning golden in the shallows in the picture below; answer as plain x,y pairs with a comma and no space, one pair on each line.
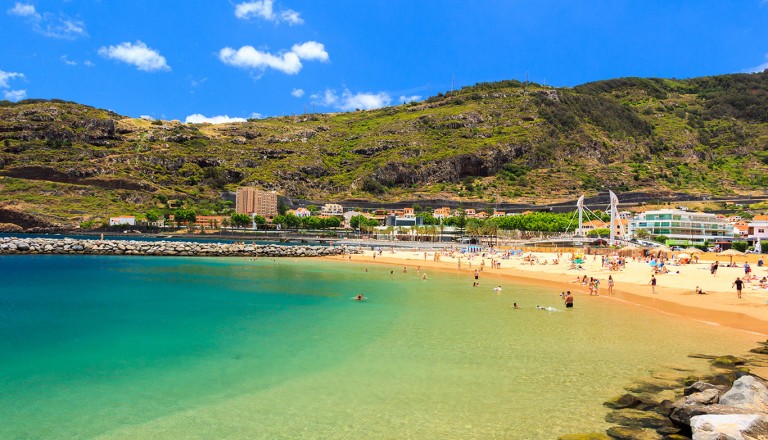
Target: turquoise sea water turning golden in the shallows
121,347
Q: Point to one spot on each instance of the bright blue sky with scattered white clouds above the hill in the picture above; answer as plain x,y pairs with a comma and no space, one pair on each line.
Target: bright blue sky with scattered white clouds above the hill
200,60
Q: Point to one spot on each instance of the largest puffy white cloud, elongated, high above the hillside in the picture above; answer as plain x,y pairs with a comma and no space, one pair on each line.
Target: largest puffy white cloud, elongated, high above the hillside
248,57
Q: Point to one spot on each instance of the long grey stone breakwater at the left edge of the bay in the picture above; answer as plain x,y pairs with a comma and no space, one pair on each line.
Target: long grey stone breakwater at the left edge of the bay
66,246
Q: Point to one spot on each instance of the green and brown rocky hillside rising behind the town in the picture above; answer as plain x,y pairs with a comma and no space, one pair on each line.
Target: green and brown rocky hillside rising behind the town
64,162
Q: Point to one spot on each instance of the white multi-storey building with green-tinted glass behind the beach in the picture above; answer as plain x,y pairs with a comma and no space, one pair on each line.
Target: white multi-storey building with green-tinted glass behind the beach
684,226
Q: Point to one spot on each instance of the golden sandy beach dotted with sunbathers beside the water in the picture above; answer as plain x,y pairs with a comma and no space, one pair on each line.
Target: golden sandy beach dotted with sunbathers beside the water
674,293
